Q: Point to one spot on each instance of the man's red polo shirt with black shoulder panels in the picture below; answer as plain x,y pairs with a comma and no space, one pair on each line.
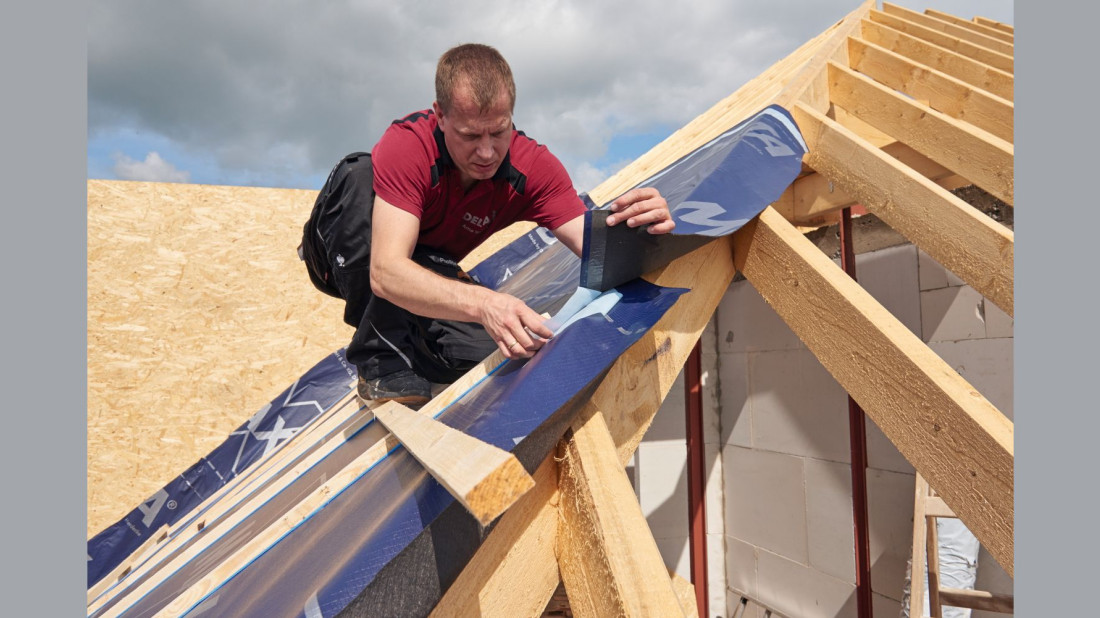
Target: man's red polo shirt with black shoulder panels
414,172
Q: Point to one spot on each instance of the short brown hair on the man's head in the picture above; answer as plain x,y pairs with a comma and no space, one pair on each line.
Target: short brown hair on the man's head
482,69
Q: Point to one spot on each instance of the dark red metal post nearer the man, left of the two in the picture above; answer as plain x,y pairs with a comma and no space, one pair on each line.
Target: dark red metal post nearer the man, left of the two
697,474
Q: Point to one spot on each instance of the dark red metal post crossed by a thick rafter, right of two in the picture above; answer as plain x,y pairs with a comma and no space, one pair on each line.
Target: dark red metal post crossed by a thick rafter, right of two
857,439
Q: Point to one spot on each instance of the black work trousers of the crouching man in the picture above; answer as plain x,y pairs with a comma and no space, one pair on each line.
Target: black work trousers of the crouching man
336,248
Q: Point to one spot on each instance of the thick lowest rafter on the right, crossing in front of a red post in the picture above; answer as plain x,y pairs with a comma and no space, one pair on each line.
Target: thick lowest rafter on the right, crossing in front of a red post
952,435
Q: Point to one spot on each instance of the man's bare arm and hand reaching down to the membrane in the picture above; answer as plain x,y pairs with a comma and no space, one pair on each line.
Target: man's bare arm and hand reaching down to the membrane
518,330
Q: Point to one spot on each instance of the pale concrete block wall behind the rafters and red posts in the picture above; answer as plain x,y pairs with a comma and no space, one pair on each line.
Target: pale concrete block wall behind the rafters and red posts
785,442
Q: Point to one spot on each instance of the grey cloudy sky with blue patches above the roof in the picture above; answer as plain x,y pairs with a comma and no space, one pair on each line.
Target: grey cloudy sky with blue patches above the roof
234,94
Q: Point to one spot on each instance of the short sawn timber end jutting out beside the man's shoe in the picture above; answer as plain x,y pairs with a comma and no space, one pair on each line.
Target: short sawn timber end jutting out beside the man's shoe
481,477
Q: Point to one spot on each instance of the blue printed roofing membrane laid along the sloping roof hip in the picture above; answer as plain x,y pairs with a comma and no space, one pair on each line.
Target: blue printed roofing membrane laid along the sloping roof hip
325,562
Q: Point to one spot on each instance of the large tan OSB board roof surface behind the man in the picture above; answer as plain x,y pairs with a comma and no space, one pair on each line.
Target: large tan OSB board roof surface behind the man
200,313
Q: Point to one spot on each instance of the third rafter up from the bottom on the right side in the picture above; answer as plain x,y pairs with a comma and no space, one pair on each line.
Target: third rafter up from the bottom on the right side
978,156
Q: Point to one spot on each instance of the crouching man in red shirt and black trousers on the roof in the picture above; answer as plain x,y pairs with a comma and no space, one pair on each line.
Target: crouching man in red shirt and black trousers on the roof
389,228
